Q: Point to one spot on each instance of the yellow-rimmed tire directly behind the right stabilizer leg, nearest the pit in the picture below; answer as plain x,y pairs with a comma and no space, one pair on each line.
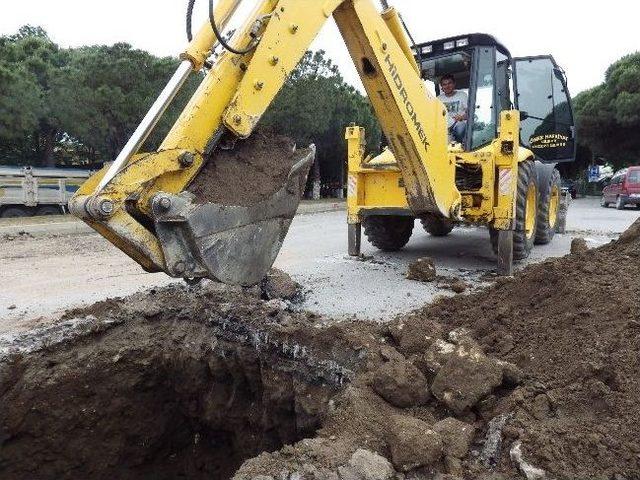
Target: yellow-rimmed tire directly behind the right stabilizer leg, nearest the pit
524,233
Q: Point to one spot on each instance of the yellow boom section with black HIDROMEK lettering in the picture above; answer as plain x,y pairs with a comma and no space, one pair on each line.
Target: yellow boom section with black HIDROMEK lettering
411,118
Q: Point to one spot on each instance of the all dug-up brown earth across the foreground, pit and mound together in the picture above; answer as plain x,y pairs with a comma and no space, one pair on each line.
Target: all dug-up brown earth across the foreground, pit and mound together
535,377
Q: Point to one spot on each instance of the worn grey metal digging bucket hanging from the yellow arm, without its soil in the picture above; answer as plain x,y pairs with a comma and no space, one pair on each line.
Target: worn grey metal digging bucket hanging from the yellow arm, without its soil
229,243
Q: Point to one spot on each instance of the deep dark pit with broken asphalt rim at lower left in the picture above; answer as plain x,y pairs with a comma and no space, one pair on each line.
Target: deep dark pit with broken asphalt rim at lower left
140,389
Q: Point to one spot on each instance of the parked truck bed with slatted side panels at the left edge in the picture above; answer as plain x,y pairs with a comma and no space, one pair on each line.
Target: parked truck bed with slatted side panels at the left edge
27,191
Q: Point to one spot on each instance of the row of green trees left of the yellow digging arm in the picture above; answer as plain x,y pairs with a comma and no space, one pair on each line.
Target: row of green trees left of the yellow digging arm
78,105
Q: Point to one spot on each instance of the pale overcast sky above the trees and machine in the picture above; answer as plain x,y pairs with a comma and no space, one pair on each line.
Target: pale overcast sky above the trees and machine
584,37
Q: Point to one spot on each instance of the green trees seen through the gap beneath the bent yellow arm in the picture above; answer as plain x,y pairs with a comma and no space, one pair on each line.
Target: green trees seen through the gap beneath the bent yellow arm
316,106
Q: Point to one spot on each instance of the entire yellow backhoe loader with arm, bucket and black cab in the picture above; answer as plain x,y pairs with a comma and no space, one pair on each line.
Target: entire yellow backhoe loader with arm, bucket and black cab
495,177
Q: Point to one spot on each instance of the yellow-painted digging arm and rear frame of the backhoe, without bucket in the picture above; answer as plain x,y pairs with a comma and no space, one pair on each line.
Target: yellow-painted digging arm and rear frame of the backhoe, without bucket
417,173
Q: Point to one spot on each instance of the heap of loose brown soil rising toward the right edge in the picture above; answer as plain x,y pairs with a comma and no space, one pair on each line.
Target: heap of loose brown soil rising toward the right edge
572,325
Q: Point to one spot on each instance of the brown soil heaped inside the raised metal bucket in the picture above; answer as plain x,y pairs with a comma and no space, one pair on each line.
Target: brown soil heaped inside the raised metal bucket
250,172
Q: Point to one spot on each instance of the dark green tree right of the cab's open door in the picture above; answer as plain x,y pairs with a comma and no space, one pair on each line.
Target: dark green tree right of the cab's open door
608,116
